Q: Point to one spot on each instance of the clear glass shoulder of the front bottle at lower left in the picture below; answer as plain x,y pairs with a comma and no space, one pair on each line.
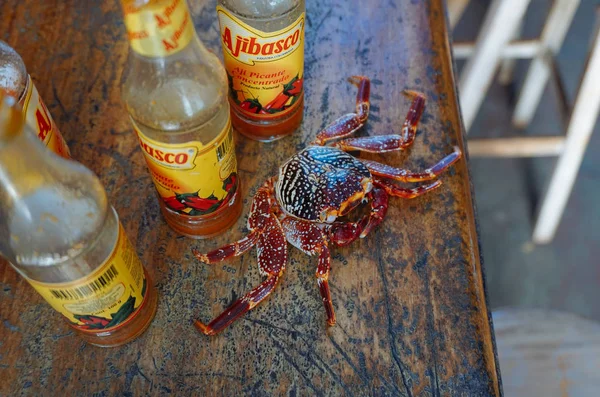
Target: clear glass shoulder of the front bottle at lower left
51,206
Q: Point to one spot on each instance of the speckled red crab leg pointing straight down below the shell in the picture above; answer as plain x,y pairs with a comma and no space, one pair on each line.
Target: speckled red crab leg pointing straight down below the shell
311,240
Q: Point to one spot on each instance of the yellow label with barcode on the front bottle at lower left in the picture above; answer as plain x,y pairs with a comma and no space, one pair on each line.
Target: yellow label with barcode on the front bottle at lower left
104,300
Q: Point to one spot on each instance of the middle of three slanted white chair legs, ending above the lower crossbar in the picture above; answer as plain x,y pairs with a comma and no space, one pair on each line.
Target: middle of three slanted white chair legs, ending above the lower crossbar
556,27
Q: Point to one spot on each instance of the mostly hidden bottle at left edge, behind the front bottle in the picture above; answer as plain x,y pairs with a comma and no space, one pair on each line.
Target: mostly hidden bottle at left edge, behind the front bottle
15,82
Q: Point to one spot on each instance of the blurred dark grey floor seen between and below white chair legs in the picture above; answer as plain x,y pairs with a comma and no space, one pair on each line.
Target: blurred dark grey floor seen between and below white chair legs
564,274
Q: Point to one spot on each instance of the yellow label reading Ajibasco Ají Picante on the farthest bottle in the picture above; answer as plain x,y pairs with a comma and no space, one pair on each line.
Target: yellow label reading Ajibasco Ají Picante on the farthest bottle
265,70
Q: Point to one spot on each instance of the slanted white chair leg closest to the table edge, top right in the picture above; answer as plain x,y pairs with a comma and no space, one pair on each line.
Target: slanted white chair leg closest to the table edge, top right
500,23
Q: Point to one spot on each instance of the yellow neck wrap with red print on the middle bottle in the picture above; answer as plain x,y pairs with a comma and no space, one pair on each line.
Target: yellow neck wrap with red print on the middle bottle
160,28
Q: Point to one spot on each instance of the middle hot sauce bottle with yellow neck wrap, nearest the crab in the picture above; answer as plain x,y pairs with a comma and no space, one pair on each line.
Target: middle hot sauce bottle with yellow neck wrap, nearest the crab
176,93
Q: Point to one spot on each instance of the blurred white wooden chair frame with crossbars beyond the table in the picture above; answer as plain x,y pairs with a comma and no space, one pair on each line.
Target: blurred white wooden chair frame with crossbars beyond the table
495,46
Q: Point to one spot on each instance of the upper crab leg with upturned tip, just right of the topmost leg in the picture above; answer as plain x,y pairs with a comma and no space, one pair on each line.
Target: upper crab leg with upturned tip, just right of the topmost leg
387,143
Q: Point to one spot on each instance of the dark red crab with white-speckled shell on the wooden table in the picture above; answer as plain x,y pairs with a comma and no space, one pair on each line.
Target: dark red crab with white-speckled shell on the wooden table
307,203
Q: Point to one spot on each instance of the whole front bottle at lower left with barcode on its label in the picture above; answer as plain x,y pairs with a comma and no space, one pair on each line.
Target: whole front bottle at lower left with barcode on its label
58,231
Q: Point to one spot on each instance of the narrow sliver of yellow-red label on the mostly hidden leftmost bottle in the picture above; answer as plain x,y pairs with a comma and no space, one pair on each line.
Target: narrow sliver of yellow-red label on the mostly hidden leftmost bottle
37,117
